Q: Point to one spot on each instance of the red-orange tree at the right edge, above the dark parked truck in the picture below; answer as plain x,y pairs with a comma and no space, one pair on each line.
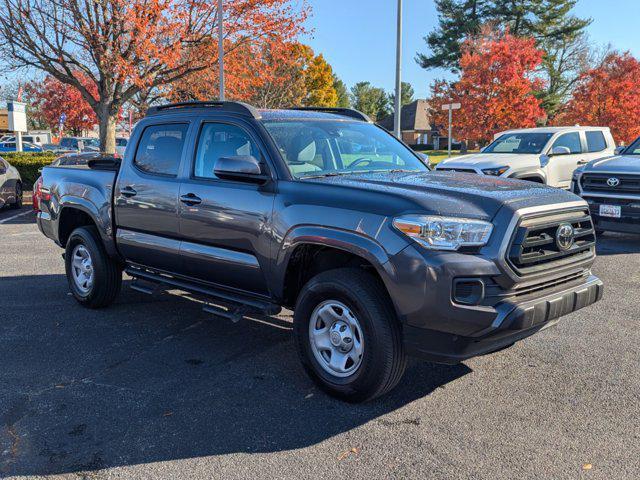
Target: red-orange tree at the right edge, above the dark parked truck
609,96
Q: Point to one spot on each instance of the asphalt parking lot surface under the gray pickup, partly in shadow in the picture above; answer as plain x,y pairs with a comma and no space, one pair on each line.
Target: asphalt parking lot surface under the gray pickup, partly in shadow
154,387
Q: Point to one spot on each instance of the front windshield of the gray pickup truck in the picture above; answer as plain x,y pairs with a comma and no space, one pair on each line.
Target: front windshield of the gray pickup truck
334,147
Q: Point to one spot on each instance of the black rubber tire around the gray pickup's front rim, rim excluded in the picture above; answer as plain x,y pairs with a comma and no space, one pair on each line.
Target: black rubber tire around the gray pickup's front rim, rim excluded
383,359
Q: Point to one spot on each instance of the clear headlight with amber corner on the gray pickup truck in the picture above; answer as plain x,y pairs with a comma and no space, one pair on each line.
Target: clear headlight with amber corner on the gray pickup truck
444,233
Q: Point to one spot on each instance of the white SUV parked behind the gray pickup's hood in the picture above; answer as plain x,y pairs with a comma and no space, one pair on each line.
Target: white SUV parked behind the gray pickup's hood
546,155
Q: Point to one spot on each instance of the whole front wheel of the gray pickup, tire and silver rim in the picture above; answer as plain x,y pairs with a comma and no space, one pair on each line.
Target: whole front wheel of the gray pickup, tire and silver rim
348,336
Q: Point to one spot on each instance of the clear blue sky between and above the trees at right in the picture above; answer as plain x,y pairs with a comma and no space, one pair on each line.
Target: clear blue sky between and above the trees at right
358,36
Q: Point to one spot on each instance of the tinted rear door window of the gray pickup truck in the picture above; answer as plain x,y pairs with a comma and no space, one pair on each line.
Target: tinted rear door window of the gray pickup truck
160,149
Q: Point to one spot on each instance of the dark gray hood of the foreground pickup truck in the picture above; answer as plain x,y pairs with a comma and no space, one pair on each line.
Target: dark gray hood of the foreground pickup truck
443,193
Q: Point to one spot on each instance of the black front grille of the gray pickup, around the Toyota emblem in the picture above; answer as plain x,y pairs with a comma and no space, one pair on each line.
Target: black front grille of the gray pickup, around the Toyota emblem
535,246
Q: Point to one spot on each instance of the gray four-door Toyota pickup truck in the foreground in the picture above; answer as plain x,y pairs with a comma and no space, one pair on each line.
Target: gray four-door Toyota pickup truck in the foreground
322,212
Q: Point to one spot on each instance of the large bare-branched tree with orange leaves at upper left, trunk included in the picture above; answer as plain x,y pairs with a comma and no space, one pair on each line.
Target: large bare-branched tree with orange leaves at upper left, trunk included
128,46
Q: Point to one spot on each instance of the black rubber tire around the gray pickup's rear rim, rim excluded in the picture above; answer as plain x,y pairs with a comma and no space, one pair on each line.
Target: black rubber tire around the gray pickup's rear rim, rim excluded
107,274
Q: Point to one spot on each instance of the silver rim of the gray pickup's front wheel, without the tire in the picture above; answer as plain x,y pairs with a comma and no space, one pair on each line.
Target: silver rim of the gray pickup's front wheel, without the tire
336,338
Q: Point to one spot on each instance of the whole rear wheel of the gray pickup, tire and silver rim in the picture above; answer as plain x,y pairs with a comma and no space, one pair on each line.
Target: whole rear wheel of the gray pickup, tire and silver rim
94,278
